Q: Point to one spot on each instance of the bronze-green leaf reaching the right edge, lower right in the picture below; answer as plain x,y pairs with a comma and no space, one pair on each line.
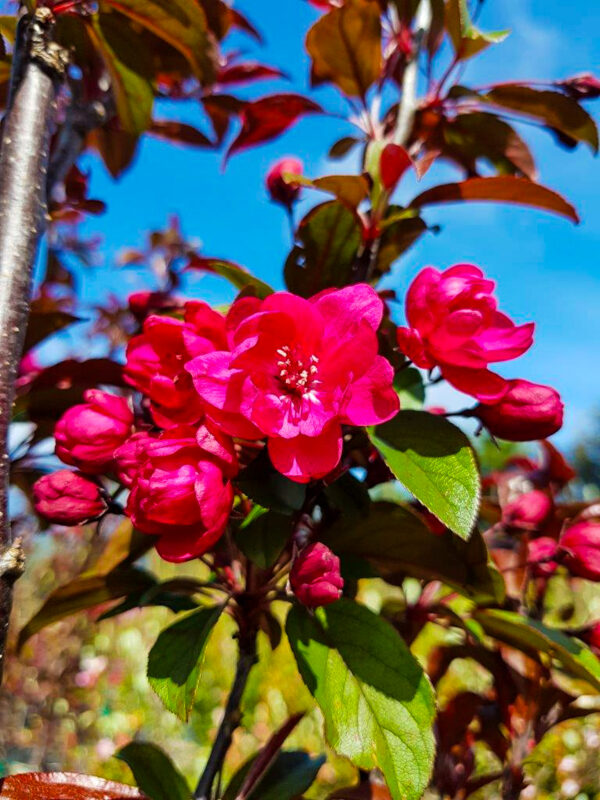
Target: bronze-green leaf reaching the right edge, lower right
535,638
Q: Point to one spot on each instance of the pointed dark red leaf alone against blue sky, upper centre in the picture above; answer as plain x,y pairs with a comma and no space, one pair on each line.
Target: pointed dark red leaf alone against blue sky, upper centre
270,116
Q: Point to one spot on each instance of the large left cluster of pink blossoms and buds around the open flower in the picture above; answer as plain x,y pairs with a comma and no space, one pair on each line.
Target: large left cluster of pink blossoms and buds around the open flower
285,370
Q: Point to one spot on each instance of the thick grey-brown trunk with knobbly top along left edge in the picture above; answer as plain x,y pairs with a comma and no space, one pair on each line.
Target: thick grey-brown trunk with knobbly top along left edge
38,66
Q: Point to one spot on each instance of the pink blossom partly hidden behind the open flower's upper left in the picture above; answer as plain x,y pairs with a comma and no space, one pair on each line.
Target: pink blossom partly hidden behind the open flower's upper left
156,361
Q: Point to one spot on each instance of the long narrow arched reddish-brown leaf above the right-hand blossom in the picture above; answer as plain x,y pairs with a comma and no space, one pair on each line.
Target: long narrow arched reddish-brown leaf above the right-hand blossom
505,189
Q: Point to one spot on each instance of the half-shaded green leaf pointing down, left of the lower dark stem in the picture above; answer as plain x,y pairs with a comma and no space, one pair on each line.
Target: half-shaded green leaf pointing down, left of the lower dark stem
175,661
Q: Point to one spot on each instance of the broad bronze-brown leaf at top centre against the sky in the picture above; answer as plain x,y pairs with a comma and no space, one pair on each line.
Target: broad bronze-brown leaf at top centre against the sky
345,47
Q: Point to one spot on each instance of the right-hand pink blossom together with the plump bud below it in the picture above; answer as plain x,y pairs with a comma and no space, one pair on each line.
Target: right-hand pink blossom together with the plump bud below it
454,324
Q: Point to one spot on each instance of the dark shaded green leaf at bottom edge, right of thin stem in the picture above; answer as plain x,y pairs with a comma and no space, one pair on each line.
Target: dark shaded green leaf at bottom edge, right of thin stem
290,775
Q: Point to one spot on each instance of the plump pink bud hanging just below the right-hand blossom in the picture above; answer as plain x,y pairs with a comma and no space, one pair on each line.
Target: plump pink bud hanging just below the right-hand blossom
526,412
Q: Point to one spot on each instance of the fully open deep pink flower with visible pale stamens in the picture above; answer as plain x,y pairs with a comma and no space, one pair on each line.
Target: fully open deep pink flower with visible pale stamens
298,370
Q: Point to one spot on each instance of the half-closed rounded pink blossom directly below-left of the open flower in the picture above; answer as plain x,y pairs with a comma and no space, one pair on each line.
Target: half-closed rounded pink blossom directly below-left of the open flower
181,491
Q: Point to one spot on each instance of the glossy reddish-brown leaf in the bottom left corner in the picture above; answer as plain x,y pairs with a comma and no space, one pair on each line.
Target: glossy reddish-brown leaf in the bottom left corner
64,786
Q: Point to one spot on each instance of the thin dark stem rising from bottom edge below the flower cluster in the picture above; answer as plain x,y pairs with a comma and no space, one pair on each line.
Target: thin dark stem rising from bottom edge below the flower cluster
231,717
